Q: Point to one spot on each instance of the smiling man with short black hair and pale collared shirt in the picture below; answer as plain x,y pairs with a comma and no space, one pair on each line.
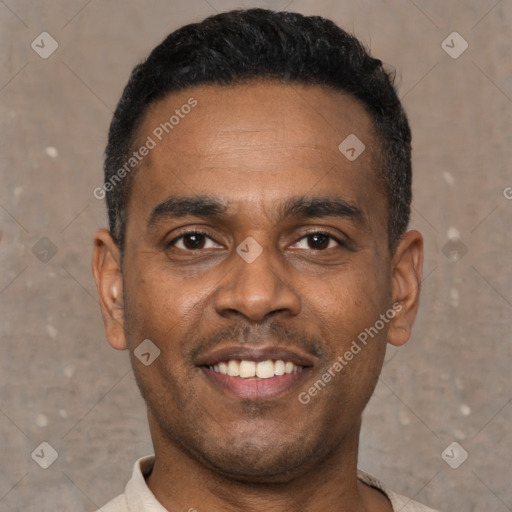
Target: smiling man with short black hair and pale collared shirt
258,184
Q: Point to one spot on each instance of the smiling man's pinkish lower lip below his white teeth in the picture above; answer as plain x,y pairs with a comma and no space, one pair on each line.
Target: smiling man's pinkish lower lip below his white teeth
253,388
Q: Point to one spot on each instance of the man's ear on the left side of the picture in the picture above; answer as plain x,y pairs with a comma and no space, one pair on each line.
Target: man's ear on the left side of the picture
106,269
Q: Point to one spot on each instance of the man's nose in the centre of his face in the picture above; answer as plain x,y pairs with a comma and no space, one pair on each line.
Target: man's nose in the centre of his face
256,287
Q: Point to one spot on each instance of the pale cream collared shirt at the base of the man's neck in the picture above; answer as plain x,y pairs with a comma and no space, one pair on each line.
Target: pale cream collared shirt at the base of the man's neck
137,496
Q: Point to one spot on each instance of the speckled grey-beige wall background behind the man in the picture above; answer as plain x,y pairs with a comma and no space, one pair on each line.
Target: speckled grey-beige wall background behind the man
59,380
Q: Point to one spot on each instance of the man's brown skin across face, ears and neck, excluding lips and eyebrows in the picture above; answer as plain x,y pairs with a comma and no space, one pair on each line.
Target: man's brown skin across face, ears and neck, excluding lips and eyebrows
252,147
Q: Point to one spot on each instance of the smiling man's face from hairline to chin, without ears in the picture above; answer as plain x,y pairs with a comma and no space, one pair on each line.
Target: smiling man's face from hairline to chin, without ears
257,168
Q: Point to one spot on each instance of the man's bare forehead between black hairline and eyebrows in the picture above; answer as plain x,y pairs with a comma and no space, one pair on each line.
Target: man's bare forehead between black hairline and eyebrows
256,140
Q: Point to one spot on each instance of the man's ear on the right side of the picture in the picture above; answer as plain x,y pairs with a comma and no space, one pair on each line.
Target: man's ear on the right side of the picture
405,287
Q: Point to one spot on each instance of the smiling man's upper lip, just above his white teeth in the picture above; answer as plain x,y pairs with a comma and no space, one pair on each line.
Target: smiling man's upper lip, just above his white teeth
255,353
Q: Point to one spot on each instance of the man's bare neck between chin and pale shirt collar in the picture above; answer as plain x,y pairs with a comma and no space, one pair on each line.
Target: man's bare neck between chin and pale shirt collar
180,481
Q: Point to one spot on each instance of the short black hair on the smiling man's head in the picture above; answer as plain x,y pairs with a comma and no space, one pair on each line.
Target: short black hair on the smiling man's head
240,45
